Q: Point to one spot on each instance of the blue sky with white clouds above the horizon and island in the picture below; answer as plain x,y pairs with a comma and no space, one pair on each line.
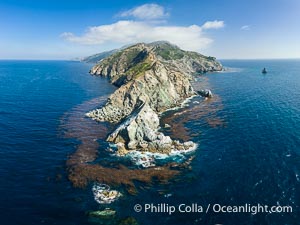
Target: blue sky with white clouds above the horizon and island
231,29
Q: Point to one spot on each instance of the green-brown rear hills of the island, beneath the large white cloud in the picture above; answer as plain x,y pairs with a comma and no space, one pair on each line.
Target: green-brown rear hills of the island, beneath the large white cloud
132,62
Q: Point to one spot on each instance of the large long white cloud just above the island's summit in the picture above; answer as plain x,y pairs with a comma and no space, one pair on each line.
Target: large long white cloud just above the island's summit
127,32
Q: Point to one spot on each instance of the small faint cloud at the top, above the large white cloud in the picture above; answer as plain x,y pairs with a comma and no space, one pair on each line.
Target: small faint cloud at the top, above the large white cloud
146,12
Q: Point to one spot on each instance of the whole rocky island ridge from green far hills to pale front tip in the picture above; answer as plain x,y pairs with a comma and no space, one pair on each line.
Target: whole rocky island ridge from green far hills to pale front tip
151,79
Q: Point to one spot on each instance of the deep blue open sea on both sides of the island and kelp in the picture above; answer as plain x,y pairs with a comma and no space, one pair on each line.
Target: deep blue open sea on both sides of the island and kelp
251,156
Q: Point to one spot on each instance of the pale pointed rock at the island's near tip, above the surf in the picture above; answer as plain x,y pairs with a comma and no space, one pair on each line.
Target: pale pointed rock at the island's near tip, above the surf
140,131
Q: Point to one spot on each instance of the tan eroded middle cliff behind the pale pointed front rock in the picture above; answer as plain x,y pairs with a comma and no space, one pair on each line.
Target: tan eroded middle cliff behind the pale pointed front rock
163,87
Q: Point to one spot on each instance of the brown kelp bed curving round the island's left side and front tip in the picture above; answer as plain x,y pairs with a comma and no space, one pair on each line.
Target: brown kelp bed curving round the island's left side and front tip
81,165
